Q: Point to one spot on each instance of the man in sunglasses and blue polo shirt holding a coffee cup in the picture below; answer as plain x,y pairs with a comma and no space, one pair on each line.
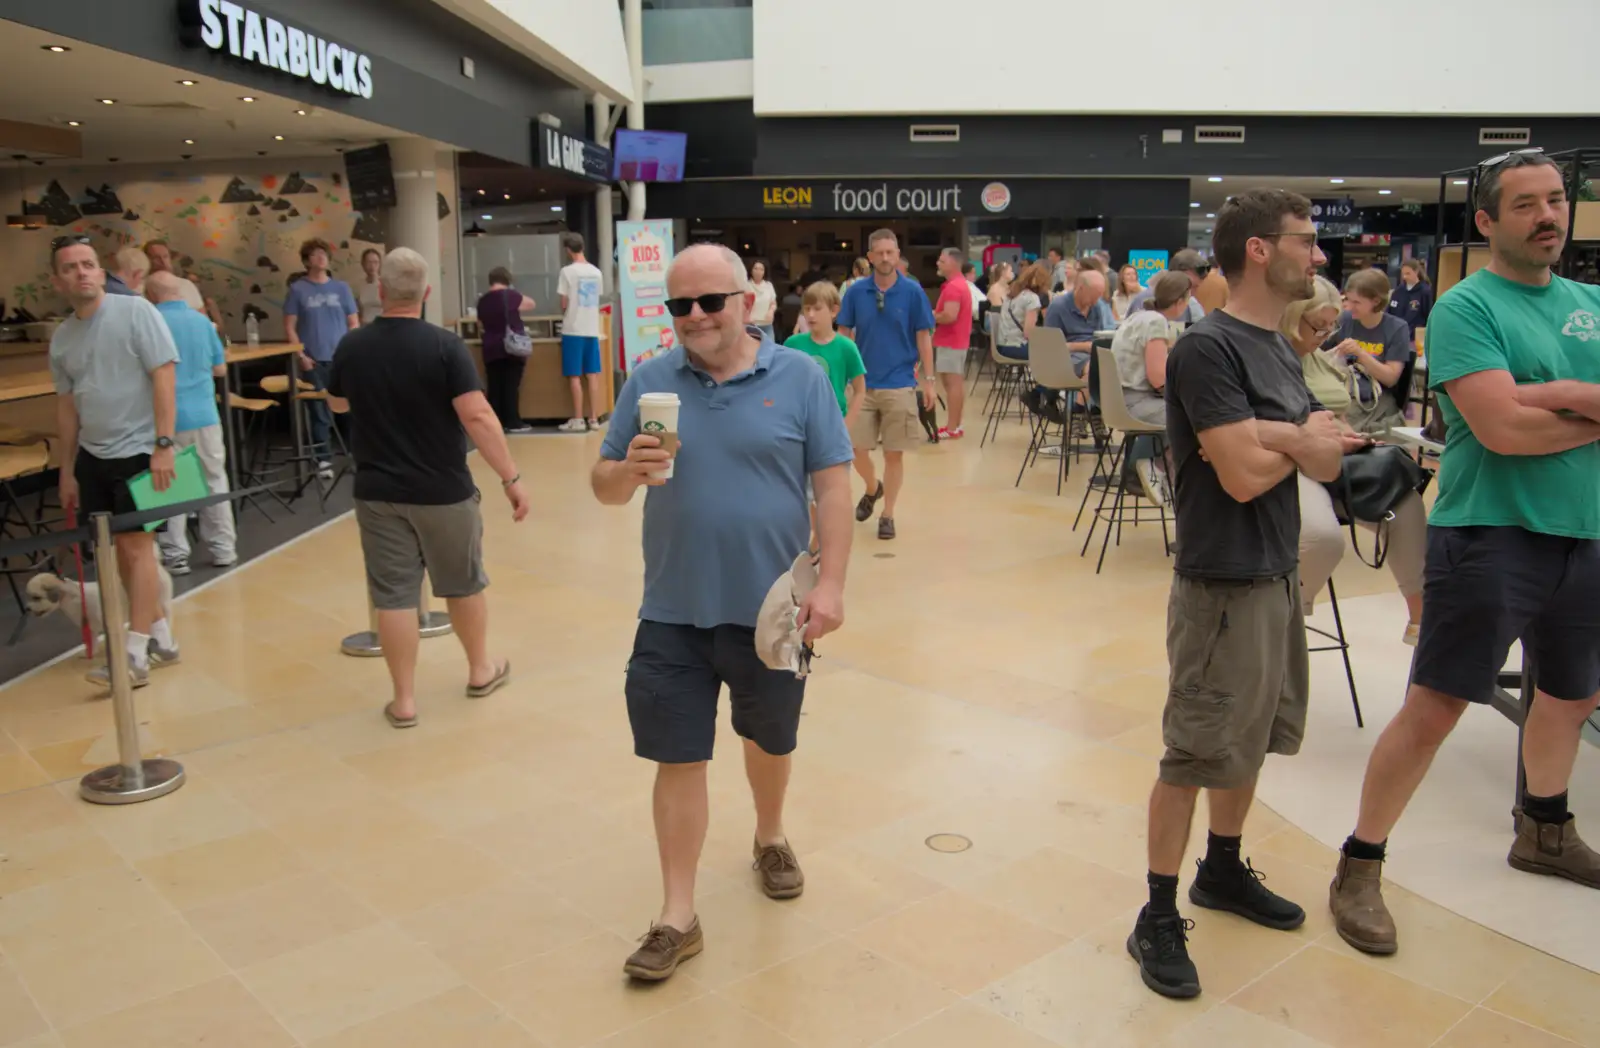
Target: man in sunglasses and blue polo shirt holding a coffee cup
756,422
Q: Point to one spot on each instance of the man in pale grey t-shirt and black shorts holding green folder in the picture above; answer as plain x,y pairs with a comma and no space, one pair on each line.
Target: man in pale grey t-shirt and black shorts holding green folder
114,364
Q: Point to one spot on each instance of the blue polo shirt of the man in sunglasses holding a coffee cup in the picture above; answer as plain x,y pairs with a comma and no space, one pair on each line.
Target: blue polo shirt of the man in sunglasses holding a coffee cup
735,514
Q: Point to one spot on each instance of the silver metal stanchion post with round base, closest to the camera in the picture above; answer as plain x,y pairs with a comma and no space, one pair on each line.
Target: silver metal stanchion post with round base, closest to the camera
134,778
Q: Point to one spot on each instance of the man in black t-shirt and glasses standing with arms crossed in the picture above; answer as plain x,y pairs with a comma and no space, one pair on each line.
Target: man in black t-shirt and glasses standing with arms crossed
1241,425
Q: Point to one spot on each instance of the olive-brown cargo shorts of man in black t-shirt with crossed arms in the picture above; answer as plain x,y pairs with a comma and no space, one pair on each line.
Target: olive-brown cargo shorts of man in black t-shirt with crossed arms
1241,679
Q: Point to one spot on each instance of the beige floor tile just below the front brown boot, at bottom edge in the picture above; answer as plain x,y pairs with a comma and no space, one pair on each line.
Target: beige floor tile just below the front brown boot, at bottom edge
1340,1001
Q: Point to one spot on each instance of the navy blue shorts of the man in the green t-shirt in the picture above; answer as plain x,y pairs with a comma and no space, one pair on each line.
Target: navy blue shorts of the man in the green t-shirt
1486,588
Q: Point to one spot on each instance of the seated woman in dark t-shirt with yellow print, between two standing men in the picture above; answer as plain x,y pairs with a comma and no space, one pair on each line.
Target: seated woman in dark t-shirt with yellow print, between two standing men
1377,346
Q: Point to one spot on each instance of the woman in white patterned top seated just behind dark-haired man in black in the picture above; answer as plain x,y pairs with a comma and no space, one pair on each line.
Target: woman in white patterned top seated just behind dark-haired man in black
1140,348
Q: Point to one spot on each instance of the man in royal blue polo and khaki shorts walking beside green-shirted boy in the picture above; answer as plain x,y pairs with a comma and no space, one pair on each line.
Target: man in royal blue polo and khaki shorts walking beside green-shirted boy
892,322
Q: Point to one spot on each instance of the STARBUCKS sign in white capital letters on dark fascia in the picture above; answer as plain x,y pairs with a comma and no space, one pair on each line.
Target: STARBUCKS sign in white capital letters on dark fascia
249,36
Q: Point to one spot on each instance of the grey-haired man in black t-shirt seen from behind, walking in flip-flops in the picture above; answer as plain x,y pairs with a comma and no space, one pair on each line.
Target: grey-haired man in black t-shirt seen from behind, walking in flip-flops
415,398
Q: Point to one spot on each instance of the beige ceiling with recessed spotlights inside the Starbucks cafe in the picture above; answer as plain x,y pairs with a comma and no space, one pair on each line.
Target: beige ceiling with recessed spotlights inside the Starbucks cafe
154,114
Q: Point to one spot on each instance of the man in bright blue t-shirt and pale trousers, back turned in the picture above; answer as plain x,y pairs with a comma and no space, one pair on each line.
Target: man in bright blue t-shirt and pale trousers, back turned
201,361
